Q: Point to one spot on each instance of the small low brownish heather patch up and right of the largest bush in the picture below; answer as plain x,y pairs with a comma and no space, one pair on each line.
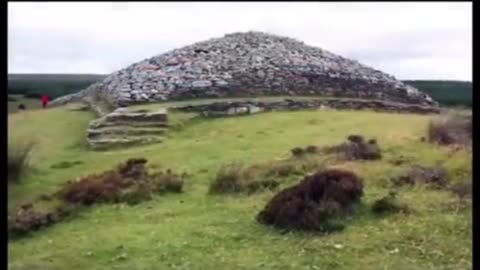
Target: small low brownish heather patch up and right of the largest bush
432,176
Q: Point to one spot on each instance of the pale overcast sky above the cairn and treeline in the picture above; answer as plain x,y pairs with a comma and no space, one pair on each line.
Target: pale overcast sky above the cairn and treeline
408,40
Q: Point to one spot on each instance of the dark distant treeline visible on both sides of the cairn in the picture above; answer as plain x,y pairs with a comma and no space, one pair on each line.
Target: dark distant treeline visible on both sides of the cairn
450,93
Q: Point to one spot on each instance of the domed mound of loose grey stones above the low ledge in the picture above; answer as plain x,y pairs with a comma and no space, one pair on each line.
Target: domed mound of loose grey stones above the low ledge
248,64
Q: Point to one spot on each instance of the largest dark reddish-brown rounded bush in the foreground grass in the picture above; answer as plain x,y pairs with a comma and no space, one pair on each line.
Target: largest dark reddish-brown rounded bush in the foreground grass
314,203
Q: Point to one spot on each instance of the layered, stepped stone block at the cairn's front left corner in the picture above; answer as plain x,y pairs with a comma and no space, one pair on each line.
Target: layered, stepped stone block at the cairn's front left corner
123,128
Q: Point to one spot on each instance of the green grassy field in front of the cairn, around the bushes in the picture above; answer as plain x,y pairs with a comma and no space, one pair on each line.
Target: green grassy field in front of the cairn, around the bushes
194,230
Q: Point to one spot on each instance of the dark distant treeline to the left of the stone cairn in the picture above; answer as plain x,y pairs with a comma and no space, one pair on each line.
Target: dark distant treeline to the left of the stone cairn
54,85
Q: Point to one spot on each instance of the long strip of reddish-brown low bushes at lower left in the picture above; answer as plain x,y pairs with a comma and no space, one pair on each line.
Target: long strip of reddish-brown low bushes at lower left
130,182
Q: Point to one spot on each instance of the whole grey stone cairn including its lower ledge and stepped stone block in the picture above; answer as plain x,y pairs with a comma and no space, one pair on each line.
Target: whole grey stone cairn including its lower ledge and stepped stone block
251,64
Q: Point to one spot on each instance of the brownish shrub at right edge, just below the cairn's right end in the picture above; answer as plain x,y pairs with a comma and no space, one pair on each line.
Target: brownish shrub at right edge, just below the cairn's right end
450,130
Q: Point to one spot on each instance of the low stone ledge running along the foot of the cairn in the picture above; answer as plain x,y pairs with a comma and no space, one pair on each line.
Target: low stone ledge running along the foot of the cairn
250,107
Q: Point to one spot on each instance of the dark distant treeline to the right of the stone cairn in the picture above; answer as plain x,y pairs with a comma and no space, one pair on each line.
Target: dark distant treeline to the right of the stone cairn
449,93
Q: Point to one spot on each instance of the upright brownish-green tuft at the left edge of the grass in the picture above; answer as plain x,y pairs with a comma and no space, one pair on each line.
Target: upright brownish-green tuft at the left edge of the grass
18,157
